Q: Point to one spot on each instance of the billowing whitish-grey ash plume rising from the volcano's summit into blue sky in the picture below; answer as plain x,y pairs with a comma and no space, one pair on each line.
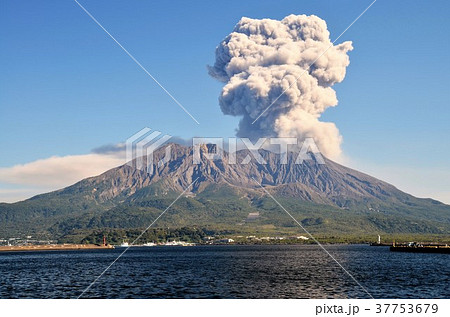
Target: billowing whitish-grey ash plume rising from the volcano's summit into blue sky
262,58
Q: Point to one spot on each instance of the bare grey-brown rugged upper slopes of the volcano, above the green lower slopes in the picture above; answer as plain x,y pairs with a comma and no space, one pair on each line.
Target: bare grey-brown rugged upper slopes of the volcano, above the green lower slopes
328,184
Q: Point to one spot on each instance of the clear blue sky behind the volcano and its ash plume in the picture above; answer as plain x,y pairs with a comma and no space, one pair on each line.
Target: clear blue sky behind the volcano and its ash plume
66,87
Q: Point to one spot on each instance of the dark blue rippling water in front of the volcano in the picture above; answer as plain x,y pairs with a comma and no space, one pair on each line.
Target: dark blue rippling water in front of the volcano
226,272
